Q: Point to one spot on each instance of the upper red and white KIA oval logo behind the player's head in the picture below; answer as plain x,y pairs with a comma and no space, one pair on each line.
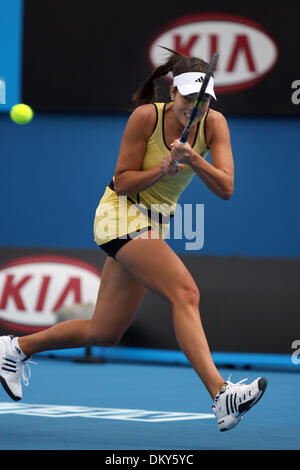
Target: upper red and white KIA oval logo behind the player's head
247,52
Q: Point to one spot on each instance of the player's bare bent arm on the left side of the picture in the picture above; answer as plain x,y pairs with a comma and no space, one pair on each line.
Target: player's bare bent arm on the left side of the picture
129,176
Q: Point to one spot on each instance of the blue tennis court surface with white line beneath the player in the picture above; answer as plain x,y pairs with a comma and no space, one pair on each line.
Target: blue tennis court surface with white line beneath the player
139,406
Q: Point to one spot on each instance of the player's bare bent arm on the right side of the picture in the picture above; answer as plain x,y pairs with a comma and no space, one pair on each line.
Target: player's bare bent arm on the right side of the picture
218,175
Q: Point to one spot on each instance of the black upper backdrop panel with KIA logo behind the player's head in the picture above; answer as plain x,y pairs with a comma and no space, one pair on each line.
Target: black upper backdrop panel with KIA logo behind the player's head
91,56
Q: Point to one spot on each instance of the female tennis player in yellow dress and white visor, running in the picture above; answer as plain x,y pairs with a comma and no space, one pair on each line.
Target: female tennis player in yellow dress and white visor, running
133,236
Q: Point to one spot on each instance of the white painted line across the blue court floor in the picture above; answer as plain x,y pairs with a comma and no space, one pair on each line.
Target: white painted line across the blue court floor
59,411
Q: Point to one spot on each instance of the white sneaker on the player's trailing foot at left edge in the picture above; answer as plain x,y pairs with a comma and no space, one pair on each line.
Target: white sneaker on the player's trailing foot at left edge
12,368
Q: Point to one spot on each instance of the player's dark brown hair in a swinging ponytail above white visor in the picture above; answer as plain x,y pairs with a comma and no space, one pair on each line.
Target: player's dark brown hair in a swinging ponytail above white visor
176,63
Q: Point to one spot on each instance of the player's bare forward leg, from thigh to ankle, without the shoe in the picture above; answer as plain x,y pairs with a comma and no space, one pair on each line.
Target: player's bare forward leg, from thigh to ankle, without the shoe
155,265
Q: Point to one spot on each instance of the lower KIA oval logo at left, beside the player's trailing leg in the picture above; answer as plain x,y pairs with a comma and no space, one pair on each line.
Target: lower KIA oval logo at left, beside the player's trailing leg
32,289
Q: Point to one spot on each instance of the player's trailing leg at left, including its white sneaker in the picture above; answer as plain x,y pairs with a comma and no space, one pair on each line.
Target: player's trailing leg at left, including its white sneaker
118,300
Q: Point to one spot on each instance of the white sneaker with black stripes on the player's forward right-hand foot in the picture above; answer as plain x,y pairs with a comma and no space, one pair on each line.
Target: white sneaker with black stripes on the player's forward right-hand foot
234,400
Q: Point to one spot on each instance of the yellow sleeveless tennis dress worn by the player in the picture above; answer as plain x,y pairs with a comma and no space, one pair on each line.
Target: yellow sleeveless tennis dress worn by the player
116,216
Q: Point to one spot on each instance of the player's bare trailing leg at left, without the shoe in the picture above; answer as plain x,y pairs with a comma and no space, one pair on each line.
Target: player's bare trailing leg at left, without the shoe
119,298
